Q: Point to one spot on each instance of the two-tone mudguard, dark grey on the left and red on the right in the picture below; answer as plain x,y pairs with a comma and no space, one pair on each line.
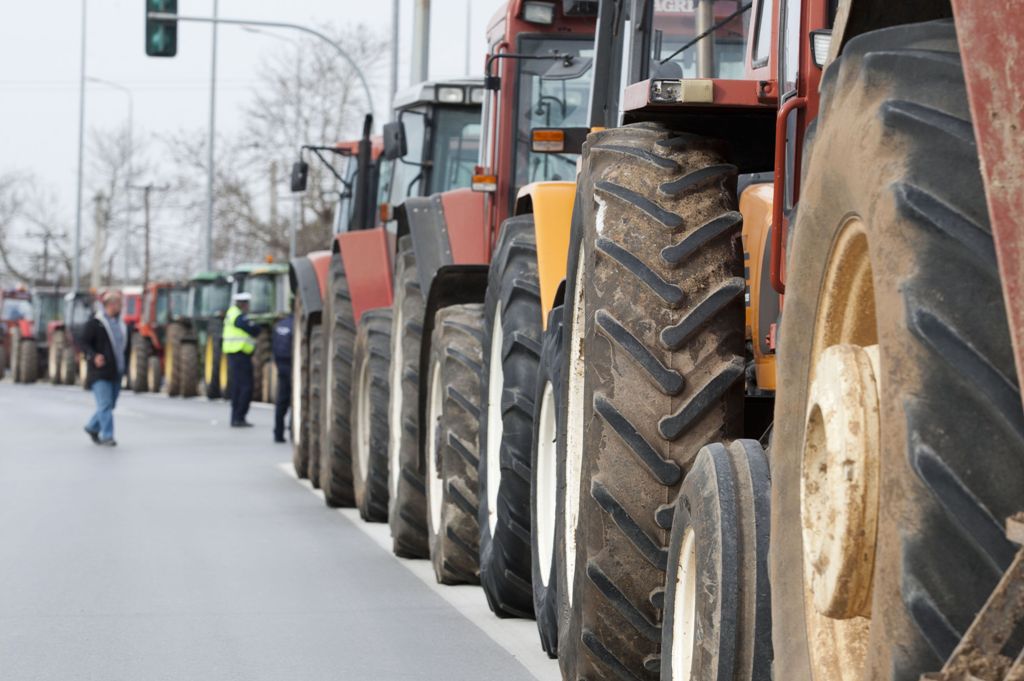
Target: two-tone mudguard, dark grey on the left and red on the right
447,230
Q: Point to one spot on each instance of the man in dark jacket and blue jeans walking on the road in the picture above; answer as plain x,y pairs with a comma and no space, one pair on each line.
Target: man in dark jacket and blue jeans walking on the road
105,342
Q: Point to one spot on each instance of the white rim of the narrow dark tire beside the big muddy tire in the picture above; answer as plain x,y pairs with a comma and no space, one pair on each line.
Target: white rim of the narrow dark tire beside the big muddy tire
547,434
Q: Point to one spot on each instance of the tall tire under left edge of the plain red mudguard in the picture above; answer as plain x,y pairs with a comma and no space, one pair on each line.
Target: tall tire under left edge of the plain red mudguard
335,435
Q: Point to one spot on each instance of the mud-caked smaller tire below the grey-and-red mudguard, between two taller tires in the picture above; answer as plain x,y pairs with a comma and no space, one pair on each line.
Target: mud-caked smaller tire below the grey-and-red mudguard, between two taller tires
453,422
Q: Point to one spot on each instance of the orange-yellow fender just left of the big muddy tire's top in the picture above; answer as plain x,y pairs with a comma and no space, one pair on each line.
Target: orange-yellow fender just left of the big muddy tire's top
551,204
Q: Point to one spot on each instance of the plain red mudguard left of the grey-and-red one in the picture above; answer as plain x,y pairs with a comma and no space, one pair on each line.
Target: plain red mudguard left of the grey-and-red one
367,256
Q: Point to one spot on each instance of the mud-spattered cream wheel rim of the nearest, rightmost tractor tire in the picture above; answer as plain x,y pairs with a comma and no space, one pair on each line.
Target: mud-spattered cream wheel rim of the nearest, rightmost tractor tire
840,461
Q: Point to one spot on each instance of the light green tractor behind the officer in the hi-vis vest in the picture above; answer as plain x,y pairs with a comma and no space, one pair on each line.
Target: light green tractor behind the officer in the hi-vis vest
272,300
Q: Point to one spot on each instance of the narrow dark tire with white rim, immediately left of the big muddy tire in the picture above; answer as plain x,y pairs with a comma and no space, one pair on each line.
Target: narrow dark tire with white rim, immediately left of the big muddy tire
546,484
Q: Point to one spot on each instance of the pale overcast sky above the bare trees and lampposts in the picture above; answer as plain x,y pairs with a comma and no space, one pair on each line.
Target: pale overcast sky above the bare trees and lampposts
39,67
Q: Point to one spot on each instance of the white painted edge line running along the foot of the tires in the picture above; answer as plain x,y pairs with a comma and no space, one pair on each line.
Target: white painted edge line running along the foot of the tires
518,637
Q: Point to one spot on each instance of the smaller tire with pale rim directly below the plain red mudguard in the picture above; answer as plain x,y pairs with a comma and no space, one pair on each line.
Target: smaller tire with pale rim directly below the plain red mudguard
371,367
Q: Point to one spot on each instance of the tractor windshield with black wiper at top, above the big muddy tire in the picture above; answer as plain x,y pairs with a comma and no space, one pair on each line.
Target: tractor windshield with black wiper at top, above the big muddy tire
676,23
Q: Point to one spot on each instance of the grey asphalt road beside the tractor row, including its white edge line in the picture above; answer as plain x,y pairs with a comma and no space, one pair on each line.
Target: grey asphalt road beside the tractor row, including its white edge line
192,552
